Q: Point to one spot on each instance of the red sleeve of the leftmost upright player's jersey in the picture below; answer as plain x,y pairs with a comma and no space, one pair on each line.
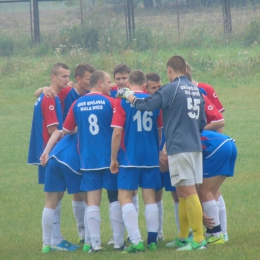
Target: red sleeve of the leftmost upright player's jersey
49,112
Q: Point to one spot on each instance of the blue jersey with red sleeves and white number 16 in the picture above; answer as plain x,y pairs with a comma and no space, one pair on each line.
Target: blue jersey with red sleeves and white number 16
140,145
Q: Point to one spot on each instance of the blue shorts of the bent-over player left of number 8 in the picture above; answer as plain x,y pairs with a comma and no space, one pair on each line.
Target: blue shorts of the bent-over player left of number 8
59,177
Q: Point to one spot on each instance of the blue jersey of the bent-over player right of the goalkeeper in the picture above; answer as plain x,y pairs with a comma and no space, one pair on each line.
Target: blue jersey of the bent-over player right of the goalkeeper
212,141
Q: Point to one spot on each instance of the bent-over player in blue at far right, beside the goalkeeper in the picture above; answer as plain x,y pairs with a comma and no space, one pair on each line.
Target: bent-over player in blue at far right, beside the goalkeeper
219,156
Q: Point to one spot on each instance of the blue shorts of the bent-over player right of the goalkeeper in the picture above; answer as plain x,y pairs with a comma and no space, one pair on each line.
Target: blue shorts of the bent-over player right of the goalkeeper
222,162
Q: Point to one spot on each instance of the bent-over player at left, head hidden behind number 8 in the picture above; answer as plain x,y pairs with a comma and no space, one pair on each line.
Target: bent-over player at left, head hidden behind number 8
62,172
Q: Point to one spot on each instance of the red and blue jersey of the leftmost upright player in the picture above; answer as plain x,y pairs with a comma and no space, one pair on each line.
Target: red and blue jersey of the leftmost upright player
47,112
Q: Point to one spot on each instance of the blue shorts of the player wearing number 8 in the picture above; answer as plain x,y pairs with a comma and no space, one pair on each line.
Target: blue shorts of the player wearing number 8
96,180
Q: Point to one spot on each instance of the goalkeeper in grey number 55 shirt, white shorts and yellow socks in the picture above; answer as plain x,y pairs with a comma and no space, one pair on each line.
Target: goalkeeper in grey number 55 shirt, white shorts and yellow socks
184,118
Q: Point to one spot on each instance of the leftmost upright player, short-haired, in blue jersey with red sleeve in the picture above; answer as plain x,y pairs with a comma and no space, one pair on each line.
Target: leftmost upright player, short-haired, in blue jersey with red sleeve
47,118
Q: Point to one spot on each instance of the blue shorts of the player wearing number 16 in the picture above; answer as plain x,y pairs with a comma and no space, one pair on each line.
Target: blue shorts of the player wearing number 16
146,178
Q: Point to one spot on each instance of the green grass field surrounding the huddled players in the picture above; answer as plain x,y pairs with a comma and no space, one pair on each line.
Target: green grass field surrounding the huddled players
232,70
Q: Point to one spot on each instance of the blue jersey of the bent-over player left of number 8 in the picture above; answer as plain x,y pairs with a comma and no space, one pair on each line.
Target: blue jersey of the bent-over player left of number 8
66,152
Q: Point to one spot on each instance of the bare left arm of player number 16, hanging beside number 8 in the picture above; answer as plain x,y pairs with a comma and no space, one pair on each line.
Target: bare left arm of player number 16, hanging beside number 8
116,139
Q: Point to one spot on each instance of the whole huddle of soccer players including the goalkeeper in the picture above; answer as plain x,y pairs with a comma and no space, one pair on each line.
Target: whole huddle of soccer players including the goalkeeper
83,139
